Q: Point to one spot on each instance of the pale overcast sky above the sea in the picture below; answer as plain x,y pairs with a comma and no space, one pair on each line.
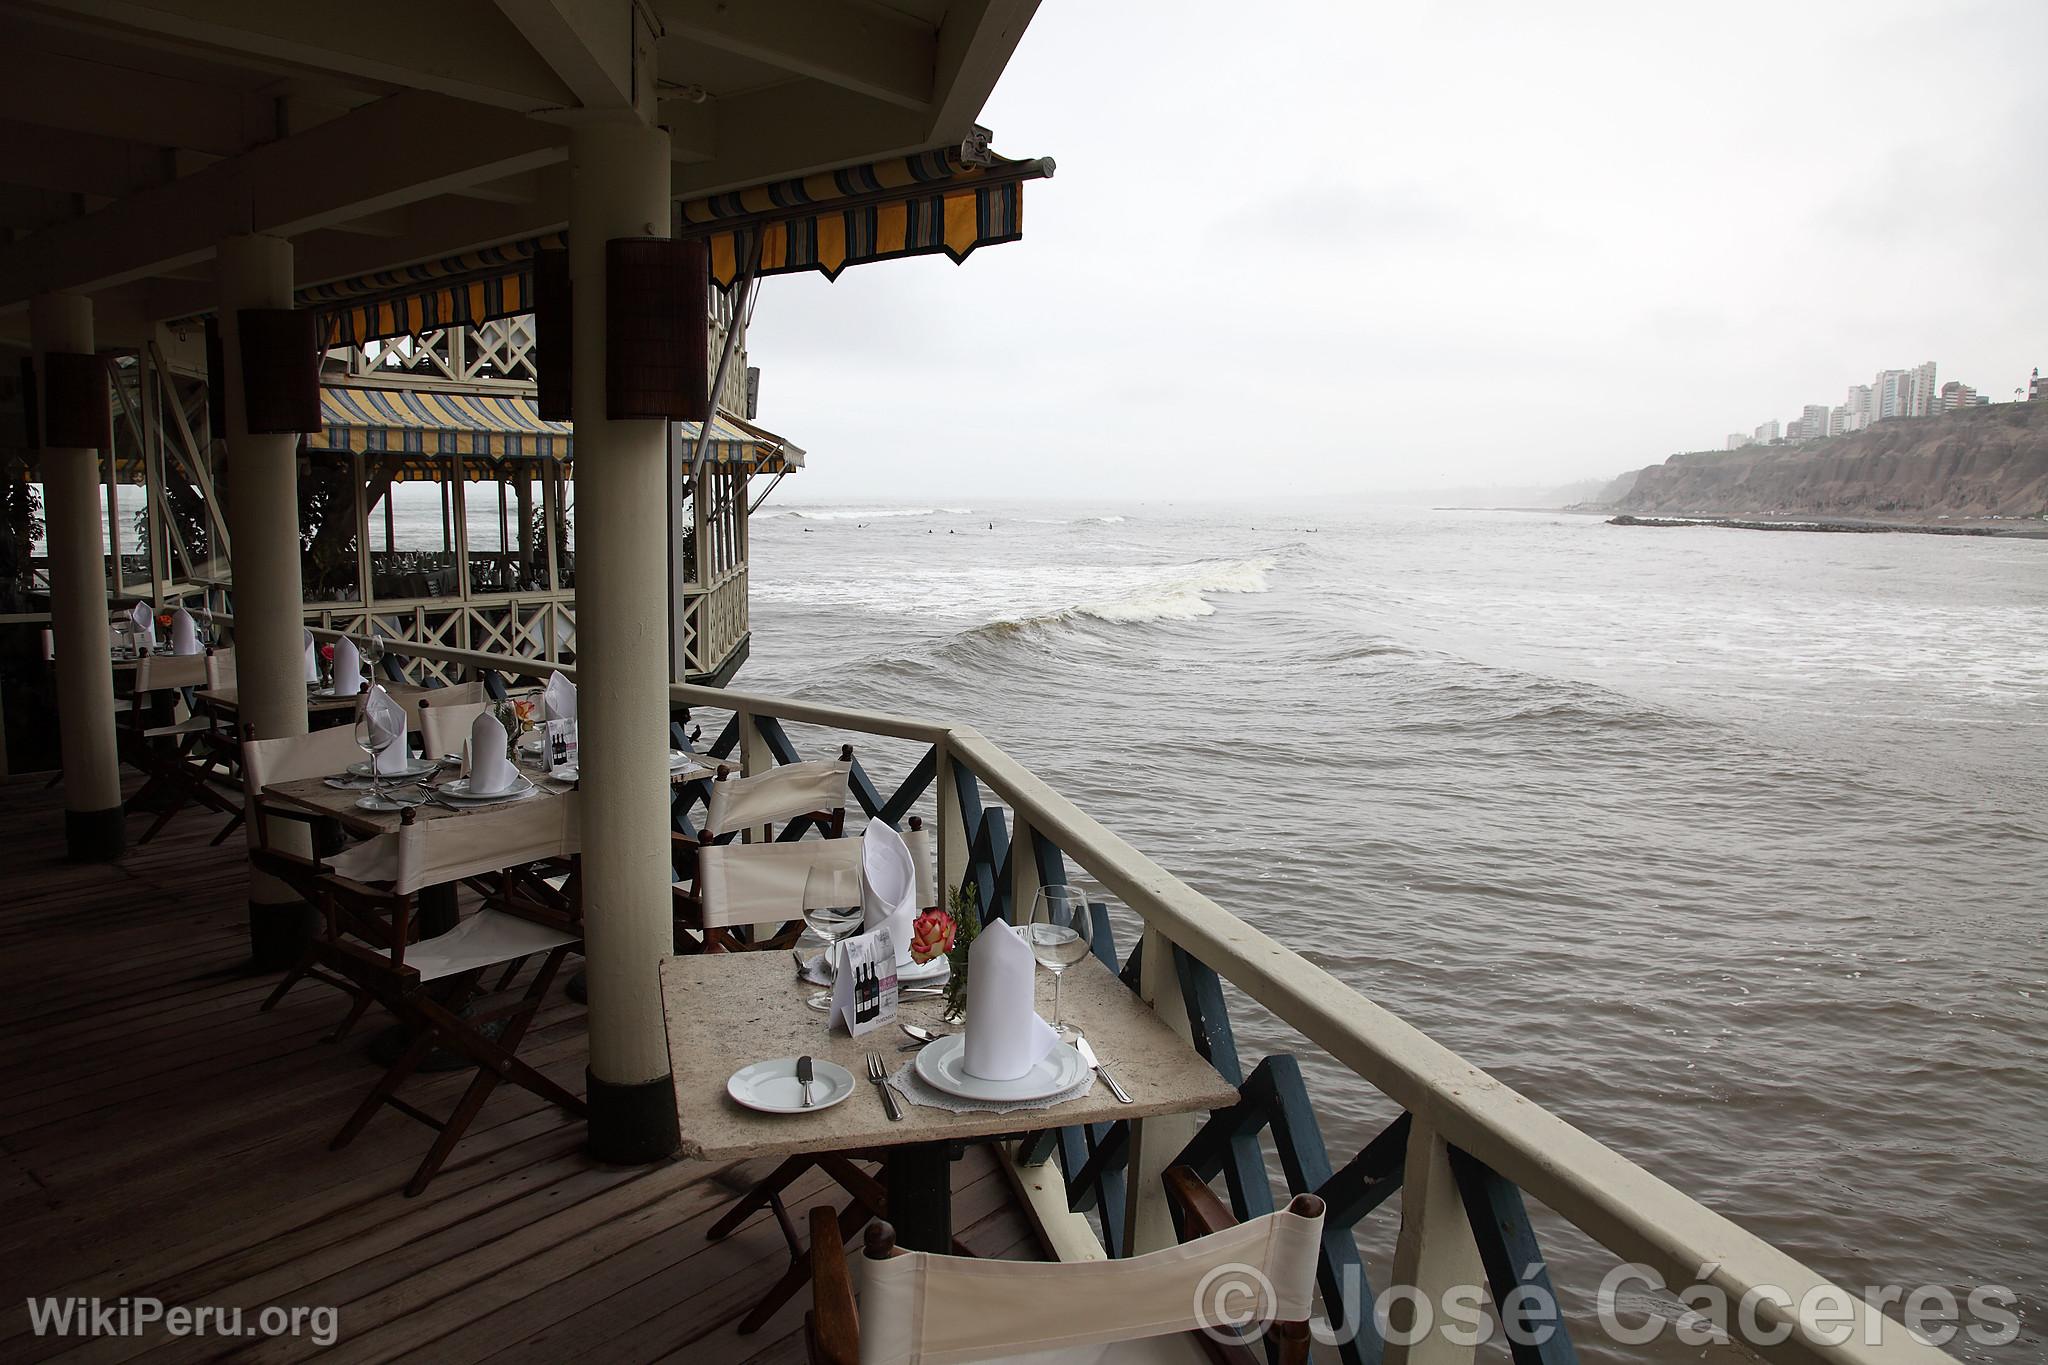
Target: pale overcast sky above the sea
1375,247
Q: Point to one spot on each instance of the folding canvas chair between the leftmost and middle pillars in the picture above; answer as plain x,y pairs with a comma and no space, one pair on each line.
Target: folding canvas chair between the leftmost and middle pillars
173,742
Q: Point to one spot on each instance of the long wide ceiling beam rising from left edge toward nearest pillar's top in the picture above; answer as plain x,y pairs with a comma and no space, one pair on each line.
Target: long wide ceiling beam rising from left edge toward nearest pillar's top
394,152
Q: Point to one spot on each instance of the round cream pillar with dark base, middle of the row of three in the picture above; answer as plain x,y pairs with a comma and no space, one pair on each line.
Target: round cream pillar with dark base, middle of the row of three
263,521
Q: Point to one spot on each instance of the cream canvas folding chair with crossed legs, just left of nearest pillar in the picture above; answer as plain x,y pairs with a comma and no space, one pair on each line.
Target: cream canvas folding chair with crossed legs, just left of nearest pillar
368,949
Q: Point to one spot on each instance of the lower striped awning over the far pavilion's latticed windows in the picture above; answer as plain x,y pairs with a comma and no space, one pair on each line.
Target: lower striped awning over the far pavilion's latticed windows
484,433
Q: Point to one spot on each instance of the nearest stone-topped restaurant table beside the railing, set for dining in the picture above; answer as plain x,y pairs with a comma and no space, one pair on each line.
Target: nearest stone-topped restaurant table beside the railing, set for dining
734,1010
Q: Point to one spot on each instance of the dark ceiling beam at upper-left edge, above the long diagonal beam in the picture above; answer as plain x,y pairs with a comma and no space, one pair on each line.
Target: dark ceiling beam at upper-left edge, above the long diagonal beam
108,101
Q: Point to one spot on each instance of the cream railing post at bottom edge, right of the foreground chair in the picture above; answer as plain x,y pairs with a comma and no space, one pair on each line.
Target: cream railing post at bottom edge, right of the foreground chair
1433,1253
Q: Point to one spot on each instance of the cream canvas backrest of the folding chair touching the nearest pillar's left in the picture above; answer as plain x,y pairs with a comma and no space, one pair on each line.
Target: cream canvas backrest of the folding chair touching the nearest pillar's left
472,844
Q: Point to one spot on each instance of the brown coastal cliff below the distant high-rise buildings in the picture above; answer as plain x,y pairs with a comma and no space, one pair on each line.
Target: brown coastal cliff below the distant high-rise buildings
1975,464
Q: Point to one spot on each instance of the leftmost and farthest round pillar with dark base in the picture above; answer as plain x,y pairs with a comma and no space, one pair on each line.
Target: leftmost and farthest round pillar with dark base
93,816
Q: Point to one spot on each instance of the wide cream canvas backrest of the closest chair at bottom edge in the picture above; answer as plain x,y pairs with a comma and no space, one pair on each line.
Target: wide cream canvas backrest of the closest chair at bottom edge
919,1307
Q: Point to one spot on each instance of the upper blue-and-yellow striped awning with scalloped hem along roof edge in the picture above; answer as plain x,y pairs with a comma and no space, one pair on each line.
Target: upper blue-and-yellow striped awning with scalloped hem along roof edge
912,206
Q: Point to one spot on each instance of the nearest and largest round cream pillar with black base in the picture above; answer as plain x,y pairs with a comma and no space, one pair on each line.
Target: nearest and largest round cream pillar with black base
620,189
